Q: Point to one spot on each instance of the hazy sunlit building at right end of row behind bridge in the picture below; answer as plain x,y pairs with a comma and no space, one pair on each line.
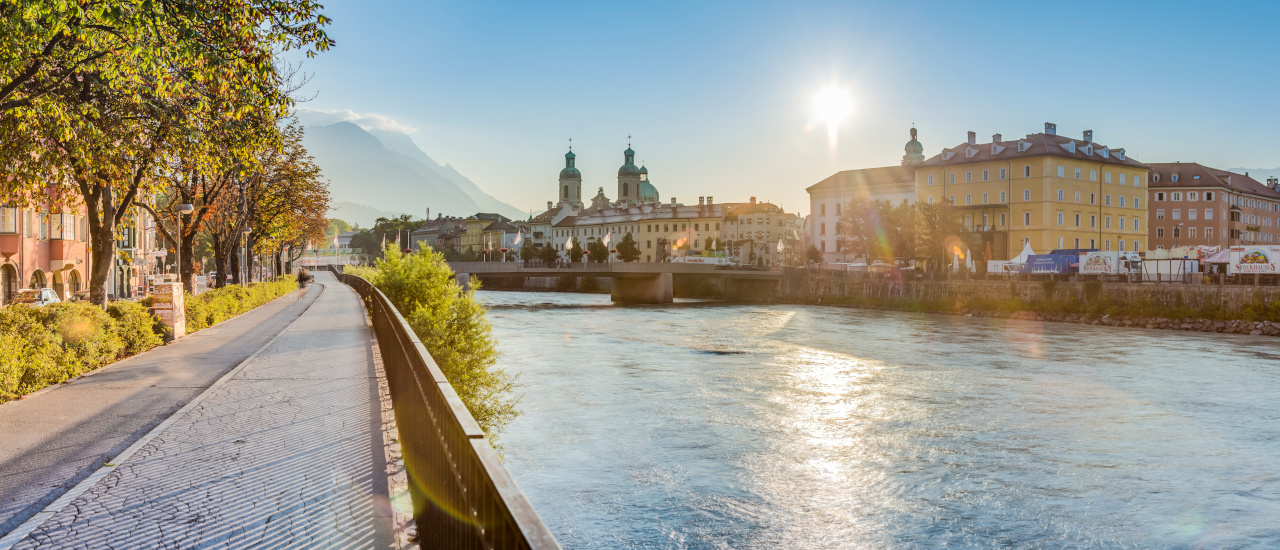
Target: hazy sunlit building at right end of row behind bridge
755,231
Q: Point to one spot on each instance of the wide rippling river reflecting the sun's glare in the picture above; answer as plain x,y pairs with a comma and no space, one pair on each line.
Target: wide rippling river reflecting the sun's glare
717,427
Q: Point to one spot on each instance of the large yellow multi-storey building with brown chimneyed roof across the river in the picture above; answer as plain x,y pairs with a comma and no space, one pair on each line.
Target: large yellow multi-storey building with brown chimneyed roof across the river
1045,190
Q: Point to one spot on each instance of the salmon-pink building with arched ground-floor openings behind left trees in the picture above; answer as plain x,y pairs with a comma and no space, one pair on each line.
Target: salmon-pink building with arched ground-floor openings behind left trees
45,246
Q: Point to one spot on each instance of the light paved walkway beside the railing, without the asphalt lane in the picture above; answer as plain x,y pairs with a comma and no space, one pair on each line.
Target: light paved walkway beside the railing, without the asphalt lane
285,455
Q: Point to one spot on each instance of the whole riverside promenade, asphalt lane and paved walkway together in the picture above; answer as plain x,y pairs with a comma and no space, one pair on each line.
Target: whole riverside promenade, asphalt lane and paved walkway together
281,450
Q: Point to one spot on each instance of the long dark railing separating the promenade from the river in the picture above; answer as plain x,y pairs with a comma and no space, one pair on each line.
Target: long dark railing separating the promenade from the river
464,497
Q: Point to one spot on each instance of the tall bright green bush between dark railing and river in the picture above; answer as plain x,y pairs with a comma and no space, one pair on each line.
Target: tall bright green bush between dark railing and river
452,327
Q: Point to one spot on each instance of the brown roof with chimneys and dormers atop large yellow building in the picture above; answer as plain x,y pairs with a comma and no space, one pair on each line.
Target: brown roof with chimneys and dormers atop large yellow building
1035,145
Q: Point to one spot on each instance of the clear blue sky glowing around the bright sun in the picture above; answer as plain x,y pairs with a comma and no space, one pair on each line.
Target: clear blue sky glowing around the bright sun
719,97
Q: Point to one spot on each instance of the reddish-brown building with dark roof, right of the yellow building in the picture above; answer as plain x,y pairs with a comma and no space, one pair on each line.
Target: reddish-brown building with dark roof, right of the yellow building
1196,205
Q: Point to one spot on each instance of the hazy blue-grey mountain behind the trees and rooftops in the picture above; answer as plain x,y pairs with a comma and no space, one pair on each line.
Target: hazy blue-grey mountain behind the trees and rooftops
387,175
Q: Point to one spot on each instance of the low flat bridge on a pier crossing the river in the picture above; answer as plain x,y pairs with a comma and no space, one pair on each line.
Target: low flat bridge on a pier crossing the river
633,282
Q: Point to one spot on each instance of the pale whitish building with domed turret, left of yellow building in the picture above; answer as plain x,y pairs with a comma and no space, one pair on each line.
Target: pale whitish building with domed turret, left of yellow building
828,199
